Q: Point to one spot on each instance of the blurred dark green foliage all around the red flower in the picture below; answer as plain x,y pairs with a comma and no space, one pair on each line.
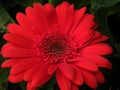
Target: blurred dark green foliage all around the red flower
103,11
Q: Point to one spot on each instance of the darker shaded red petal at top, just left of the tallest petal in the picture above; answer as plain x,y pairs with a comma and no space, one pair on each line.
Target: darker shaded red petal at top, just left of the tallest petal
51,16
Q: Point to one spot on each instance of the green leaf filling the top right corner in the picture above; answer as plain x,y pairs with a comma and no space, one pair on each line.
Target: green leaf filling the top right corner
96,4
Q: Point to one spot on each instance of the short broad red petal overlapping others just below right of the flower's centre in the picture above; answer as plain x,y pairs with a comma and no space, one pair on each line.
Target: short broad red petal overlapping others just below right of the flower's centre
67,70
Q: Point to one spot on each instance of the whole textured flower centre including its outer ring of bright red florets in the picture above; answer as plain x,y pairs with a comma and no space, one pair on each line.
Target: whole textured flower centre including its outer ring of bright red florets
54,48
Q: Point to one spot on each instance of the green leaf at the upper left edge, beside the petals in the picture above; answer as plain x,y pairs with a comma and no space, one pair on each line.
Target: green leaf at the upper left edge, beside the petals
4,19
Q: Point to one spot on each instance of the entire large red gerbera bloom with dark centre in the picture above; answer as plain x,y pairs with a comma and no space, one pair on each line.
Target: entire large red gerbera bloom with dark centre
60,41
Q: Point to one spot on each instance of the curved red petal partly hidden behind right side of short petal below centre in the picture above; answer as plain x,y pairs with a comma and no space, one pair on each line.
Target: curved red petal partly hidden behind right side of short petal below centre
78,78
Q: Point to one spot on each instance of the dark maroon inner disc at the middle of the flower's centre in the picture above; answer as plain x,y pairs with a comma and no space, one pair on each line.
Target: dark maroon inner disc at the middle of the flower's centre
54,45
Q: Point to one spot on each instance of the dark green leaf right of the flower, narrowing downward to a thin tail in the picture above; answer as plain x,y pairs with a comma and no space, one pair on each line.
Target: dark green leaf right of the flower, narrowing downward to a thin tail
101,19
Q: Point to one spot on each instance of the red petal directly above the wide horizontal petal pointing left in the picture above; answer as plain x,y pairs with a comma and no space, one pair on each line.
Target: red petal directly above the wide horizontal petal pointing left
19,40
